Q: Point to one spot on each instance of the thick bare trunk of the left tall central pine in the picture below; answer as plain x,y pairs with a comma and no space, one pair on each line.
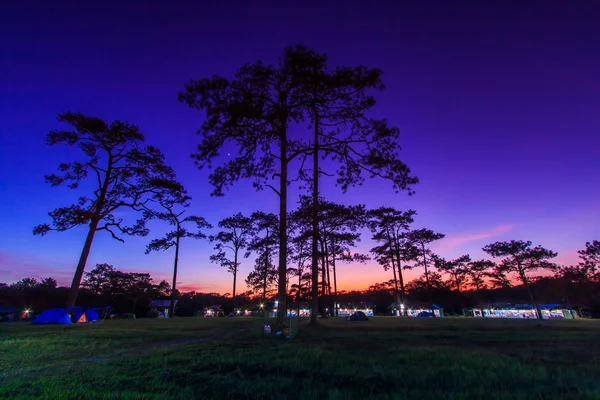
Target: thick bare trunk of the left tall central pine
282,295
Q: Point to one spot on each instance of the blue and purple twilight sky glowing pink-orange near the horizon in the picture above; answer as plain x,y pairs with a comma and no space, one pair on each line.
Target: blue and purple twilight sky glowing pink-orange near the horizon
497,102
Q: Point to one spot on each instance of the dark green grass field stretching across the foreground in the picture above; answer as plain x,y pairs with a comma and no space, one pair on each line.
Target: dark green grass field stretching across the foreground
385,358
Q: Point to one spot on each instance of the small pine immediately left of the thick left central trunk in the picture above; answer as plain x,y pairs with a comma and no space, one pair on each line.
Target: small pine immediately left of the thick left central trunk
264,241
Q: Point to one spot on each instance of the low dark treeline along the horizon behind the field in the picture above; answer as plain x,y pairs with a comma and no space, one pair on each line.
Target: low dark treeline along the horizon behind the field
132,292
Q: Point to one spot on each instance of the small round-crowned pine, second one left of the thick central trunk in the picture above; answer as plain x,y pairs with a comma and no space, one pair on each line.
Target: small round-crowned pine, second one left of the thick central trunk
236,233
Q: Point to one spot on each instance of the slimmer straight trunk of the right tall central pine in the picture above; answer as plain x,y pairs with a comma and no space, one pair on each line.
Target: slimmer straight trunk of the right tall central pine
315,228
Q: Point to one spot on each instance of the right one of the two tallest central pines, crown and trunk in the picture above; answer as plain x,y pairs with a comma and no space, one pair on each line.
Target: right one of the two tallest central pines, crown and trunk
337,103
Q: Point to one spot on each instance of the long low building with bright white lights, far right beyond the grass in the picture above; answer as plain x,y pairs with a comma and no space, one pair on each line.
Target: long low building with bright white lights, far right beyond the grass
523,311
